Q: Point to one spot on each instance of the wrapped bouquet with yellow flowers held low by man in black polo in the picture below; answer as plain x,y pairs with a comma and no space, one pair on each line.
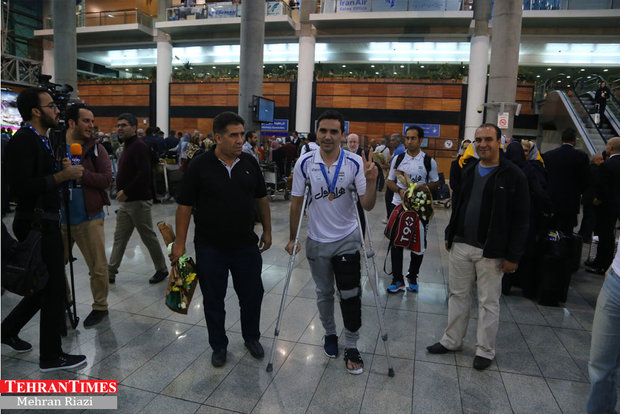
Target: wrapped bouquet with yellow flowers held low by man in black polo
182,280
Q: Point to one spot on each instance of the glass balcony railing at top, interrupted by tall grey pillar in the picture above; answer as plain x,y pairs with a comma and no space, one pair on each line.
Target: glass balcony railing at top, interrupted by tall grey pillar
222,10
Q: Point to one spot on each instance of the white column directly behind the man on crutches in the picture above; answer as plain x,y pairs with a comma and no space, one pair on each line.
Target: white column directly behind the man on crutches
305,77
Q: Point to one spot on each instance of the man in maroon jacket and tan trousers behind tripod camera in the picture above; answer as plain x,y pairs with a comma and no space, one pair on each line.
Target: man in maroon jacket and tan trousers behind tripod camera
86,200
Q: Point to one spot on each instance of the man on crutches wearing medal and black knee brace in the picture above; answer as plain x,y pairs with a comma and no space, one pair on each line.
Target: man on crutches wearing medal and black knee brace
333,243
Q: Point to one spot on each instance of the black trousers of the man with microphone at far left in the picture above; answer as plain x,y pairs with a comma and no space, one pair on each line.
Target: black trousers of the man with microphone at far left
50,300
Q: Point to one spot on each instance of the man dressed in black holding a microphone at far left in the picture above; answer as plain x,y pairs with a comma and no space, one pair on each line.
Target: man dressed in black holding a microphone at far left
34,177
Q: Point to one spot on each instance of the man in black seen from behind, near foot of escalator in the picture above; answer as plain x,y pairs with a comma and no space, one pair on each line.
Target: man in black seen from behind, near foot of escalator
568,175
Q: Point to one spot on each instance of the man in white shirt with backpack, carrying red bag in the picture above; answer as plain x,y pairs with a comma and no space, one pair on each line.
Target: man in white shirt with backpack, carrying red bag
421,169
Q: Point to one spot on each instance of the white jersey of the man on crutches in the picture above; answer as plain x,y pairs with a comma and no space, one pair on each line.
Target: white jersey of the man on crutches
329,221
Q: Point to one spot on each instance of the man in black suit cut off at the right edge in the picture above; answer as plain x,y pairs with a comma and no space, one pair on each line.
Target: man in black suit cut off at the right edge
608,208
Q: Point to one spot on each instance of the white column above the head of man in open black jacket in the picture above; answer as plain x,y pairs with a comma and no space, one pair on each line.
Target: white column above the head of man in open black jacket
477,78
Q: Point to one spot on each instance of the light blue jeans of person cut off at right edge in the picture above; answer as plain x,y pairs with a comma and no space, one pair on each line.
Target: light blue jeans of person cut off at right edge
605,349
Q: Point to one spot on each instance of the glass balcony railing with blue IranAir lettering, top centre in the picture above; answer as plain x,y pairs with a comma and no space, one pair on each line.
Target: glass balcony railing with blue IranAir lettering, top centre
361,6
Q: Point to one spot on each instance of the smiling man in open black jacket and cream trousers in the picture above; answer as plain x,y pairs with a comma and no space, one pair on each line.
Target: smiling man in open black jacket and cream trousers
485,237
